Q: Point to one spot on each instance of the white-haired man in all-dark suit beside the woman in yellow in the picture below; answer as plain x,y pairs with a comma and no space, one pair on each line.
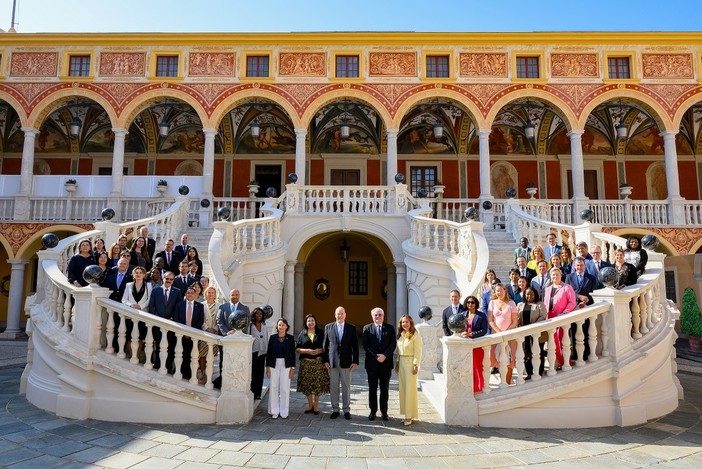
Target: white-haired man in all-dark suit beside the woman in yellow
379,342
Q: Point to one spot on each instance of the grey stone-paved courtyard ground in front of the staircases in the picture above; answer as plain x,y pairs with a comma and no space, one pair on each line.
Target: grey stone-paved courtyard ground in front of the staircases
33,438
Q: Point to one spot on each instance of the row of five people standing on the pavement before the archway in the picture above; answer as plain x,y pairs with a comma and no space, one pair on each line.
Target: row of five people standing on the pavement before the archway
328,356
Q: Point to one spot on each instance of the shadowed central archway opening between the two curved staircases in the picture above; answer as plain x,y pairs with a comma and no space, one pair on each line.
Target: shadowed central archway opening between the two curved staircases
364,280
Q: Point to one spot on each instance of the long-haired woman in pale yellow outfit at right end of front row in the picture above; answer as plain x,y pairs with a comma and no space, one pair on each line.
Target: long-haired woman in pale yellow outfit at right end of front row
409,351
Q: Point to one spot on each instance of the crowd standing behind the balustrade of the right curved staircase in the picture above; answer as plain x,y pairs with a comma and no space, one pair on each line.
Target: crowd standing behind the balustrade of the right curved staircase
546,282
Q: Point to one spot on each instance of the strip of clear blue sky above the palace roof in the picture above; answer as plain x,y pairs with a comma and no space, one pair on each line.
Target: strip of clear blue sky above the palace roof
350,15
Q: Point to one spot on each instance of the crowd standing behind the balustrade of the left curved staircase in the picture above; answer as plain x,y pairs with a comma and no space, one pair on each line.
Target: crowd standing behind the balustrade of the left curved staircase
168,284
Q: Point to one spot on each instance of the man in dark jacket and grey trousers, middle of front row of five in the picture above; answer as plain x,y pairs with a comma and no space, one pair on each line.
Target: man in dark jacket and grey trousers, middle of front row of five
340,355
